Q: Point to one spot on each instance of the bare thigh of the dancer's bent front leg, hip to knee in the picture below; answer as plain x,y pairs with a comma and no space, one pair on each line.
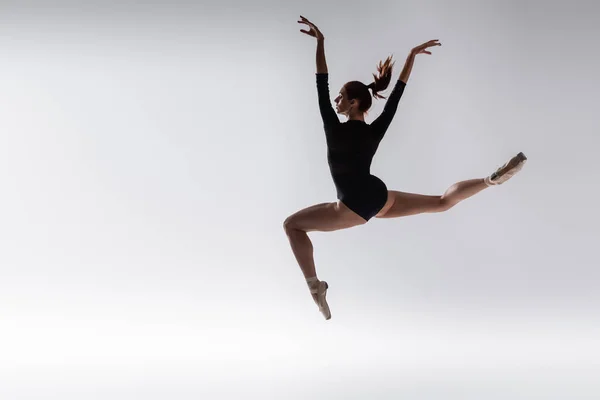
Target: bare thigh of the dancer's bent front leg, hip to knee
324,217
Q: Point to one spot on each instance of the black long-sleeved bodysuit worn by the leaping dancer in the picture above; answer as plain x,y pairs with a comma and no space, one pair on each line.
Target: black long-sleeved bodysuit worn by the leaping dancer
351,146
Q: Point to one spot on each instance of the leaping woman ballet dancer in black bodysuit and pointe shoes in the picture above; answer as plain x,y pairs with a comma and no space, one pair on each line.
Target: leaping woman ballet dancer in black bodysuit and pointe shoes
351,147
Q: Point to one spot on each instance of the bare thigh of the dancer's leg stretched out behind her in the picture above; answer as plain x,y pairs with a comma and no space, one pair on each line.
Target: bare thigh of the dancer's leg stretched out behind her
401,204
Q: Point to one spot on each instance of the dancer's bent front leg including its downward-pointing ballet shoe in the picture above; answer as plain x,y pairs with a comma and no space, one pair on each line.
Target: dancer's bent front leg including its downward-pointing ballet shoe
324,217
